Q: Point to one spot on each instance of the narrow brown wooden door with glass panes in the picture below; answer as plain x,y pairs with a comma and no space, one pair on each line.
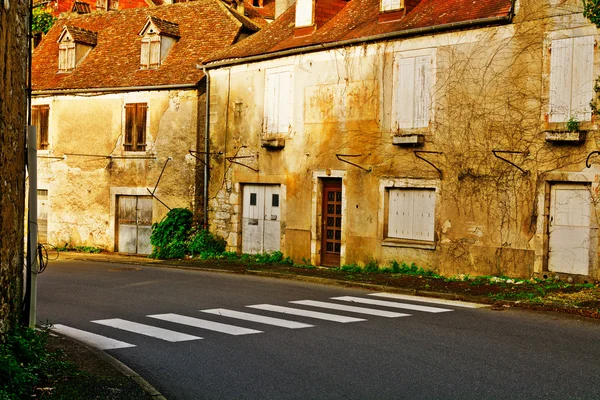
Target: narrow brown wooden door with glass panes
331,234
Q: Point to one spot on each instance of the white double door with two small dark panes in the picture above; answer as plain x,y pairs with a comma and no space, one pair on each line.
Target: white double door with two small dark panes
261,219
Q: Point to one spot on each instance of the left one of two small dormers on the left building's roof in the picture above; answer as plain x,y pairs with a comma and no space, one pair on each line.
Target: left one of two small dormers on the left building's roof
73,45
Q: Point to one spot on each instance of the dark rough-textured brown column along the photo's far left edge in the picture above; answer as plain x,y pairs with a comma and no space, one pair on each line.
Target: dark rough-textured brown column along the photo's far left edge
13,124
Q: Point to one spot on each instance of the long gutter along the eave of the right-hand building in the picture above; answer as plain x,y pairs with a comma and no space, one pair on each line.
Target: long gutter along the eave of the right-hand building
383,36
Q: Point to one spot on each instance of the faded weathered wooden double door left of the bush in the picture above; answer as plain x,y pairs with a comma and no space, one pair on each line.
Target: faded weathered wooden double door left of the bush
134,224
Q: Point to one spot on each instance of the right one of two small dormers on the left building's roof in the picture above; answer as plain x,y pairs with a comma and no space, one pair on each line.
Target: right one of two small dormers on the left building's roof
158,36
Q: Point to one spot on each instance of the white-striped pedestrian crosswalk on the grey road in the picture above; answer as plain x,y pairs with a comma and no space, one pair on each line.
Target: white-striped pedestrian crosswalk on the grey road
362,306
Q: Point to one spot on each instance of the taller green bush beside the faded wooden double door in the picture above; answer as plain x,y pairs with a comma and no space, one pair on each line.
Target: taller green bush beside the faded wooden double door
170,235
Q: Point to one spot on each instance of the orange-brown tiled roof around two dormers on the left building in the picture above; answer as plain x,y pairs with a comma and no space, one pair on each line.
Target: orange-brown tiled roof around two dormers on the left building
205,26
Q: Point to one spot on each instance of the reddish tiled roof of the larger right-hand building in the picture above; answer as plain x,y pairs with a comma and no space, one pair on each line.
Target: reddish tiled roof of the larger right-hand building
360,19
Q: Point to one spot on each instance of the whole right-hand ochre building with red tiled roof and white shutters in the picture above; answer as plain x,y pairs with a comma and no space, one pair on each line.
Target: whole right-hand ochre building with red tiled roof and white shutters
452,134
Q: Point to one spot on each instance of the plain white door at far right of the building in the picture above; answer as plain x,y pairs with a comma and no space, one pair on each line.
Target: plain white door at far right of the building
569,243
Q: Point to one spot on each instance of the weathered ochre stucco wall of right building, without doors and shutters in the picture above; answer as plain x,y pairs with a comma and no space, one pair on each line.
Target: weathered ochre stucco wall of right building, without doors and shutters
489,92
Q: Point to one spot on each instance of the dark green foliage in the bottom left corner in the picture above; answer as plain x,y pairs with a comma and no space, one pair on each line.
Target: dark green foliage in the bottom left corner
25,363
